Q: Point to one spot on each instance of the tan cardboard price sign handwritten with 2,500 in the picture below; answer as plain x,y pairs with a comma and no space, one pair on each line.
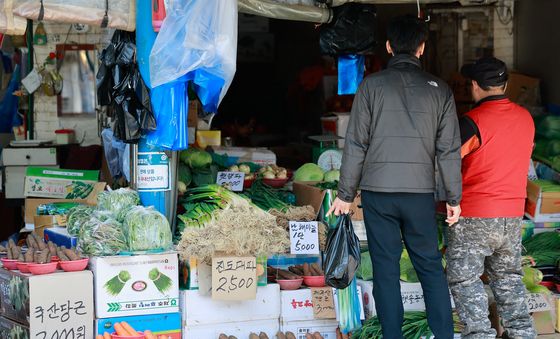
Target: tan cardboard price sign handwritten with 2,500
234,278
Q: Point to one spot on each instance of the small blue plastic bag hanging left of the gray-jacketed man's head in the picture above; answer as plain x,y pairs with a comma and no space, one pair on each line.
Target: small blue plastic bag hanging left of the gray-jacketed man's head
350,73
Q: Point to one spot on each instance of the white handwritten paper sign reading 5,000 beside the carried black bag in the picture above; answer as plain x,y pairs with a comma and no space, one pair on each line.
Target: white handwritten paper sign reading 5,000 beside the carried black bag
304,237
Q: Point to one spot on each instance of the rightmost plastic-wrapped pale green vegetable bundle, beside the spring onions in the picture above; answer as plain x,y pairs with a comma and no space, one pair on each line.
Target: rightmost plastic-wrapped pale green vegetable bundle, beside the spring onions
147,229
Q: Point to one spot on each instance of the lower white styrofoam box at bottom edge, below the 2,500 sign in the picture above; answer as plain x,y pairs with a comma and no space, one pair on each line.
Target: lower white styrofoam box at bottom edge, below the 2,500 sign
237,329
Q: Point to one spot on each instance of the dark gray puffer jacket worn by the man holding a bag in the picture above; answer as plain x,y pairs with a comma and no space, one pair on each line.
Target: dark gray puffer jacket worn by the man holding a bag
402,120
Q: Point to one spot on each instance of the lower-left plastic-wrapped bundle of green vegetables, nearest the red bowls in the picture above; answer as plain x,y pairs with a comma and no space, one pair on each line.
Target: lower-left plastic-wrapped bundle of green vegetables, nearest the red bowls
98,238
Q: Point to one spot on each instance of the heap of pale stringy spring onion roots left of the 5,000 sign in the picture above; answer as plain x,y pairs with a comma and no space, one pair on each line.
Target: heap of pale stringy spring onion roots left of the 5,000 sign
240,228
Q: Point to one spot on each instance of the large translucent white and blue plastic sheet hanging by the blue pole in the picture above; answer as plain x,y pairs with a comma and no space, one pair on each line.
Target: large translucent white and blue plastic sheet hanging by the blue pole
197,41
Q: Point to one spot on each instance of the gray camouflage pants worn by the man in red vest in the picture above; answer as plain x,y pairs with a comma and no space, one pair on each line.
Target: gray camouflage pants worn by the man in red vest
493,245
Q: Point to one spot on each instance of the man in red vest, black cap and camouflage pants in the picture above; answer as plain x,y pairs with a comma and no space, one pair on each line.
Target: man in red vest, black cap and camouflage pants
497,139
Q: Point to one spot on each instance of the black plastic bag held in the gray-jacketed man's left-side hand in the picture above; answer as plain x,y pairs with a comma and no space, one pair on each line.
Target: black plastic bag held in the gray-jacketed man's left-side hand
342,254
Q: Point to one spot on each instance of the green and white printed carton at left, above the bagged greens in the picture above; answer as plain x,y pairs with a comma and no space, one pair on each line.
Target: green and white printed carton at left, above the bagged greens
59,183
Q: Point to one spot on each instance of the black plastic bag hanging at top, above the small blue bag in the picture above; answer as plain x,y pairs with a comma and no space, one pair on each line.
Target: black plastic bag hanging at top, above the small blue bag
352,31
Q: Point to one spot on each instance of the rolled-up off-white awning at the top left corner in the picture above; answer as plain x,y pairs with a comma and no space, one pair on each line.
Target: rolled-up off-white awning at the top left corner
121,13
